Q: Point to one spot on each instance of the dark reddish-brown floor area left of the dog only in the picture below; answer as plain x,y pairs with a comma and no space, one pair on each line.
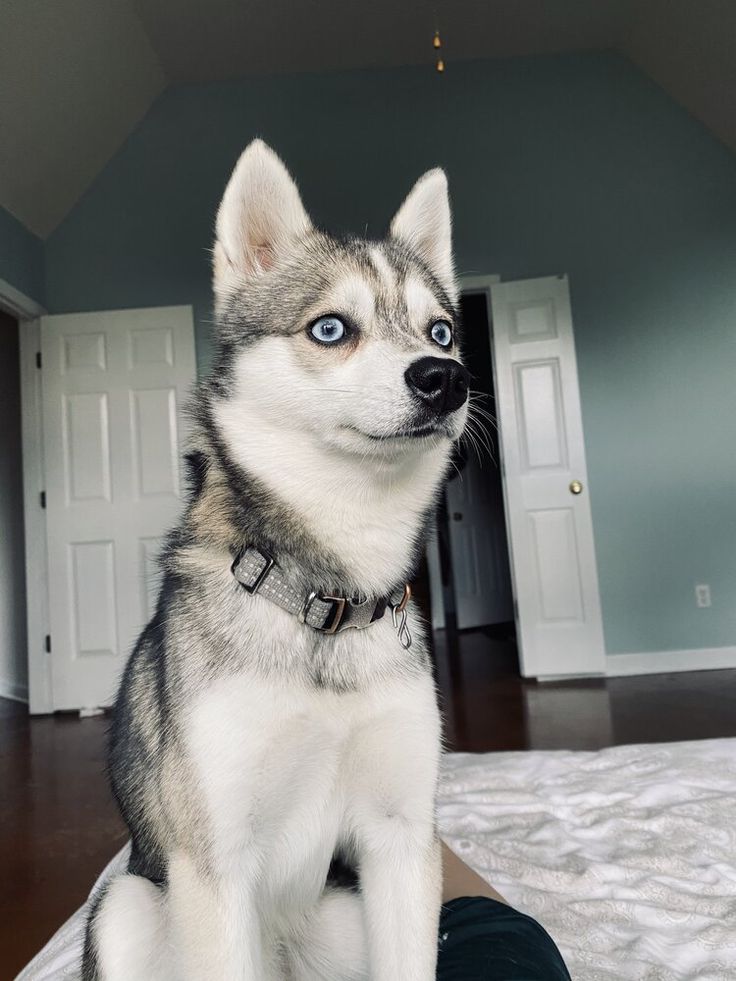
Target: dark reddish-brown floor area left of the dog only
58,825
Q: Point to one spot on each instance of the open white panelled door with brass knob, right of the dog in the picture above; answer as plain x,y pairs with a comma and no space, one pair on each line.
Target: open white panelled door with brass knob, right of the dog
549,521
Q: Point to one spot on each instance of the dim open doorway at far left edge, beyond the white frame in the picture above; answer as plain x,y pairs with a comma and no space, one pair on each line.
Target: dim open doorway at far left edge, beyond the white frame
13,647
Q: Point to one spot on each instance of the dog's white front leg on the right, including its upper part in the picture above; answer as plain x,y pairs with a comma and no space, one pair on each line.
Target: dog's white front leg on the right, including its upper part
394,764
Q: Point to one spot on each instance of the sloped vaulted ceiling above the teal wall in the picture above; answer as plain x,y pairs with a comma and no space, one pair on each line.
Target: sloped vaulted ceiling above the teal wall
76,76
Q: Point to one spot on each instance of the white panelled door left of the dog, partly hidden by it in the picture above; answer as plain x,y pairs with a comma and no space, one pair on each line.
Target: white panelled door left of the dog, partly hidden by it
113,388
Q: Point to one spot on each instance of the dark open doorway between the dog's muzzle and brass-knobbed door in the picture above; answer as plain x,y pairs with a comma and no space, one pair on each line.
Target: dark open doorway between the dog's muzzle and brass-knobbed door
472,556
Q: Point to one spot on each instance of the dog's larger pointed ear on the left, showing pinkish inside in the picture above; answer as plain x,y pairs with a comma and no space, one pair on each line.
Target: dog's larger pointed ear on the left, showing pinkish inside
260,216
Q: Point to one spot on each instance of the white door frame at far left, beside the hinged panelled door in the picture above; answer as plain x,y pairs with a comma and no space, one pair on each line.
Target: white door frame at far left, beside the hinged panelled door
27,312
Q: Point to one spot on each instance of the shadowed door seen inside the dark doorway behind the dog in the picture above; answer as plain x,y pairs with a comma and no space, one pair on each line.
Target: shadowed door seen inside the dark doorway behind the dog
480,562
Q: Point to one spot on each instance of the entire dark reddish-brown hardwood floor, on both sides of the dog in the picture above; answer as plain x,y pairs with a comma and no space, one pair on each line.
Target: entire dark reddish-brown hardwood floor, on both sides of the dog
59,826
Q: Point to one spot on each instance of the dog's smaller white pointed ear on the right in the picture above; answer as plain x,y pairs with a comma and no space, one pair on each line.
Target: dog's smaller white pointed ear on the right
424,223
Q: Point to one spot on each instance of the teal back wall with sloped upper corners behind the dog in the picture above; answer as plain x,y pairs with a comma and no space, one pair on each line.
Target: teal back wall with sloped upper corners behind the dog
572,164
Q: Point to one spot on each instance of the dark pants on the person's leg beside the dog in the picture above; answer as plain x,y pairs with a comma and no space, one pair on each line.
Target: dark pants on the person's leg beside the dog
484,940
